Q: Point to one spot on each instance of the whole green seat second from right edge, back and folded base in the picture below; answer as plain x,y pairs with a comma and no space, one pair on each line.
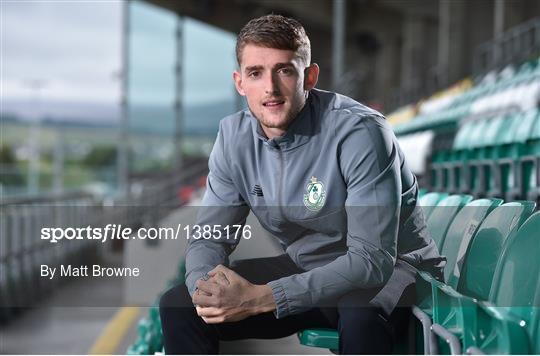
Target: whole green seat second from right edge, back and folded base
449,302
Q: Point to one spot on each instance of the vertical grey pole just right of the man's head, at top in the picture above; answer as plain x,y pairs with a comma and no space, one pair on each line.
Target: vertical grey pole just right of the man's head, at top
338,41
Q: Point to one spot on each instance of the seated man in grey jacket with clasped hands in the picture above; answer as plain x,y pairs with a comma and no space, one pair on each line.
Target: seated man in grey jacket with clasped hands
324,175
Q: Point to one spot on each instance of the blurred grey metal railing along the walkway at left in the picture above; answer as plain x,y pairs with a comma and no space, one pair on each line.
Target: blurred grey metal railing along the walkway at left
22,251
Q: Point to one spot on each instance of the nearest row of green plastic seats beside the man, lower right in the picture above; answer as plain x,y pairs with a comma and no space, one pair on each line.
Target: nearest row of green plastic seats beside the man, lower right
489,299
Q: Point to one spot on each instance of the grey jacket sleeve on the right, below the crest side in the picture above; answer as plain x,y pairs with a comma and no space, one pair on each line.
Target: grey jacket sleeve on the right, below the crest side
368,157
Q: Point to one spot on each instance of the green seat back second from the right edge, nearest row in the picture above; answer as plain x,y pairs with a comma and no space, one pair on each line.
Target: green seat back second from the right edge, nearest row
486,247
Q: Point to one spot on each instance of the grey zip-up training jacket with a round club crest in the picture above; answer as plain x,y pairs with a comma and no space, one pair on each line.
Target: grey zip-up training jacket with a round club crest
336,192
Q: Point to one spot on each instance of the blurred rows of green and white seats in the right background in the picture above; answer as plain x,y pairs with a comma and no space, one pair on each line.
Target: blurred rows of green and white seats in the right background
495,156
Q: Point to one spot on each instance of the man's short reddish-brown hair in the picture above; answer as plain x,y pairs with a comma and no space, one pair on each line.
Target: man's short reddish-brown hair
275,31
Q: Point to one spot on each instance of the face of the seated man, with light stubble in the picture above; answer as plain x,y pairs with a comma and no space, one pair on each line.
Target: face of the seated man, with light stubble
274,83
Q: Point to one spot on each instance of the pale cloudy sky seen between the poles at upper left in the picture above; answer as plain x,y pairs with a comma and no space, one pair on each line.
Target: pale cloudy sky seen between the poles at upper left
72,51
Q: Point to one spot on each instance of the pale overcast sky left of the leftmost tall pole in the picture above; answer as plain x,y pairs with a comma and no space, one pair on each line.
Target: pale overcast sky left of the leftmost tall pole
72,46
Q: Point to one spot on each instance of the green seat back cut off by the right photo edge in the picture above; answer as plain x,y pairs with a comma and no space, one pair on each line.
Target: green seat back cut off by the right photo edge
516,284
